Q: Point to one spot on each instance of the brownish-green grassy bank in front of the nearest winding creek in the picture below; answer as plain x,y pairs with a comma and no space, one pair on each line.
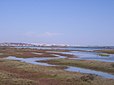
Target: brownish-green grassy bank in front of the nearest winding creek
18,73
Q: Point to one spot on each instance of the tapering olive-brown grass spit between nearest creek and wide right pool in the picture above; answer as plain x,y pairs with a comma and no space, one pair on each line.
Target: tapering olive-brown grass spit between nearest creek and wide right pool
91,64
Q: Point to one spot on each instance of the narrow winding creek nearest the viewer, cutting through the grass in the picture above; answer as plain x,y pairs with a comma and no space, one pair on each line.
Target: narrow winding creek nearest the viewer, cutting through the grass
36,61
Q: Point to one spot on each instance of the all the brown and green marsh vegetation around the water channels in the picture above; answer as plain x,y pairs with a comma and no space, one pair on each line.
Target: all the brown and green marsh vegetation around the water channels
20,73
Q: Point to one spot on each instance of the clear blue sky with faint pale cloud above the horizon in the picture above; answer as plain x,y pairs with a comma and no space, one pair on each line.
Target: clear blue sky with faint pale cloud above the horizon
73,22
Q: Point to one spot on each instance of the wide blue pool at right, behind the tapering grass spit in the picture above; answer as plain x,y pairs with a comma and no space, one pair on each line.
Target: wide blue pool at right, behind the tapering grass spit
92,56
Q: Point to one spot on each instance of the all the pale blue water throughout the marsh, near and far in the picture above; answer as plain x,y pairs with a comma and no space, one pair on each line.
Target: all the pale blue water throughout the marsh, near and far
81,56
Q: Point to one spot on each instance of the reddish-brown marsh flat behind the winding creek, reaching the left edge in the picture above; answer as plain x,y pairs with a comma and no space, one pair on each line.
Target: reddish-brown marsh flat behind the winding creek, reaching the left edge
28,53
